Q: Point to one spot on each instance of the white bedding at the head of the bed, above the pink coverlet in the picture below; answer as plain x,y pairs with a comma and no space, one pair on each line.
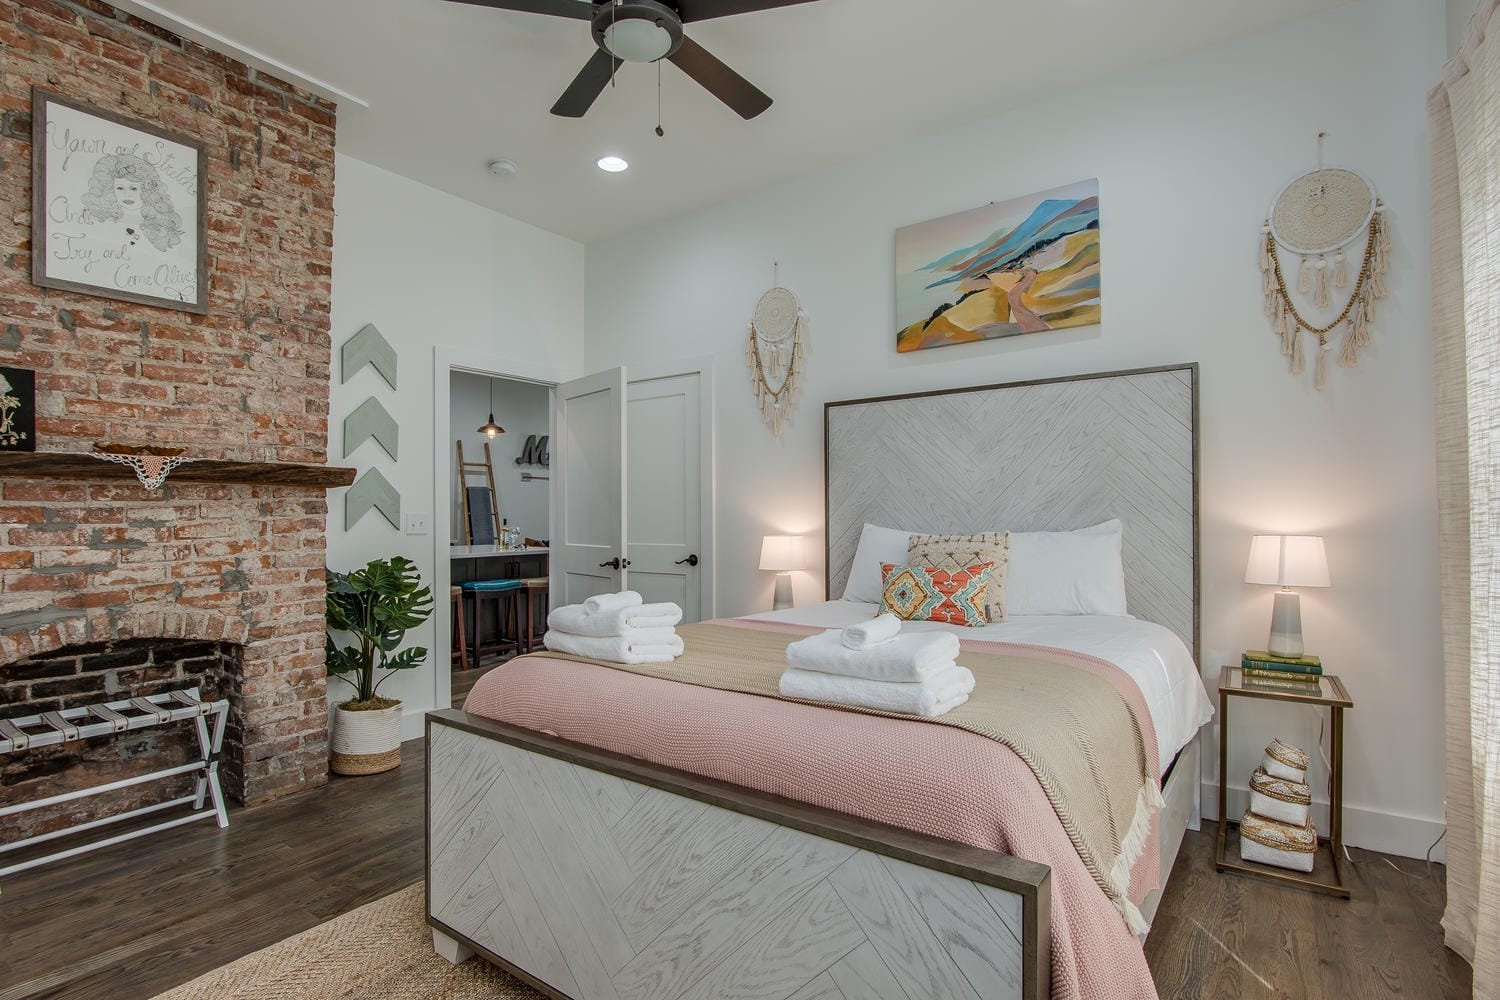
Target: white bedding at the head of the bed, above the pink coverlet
1153,654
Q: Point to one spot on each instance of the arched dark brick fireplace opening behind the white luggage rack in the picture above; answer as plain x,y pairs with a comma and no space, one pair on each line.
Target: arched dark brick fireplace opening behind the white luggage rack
109,672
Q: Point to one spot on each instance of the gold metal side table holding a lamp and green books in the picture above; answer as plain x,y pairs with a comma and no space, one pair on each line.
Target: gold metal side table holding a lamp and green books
1328,693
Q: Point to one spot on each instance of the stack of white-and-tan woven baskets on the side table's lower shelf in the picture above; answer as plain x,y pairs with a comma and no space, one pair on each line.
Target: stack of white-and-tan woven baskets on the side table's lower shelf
1279,830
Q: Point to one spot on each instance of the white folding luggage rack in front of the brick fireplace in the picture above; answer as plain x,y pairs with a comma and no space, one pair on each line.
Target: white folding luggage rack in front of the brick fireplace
106,720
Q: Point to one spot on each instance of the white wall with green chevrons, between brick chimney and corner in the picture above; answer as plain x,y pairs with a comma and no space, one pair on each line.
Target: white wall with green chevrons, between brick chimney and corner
433,272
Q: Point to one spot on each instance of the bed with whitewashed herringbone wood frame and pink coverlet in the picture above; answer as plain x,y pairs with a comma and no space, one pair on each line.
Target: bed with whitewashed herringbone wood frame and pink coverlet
607,834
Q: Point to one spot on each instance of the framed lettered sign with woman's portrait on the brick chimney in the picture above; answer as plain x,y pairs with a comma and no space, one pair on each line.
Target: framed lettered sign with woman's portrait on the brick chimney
118,208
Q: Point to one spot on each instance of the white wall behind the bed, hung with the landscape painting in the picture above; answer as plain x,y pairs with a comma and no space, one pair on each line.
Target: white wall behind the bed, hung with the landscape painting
1189,155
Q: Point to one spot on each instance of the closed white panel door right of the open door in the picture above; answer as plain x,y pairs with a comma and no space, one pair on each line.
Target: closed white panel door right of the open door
665,484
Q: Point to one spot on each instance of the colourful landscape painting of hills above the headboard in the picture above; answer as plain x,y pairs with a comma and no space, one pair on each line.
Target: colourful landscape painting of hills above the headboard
1021,266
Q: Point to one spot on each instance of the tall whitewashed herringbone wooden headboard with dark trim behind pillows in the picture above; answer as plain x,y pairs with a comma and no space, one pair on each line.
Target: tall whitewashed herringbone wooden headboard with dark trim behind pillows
1046,455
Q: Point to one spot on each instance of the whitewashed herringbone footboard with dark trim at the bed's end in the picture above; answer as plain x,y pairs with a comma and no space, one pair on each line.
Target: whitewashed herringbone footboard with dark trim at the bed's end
596,876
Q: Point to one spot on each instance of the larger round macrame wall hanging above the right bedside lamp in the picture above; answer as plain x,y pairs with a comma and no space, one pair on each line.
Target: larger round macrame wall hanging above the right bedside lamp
1318,218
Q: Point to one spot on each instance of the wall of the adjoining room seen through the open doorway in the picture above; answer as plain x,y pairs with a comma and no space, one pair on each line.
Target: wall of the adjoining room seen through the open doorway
523,410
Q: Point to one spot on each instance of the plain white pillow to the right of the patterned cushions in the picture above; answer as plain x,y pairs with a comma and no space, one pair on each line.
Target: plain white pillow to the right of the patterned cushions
1067,572
